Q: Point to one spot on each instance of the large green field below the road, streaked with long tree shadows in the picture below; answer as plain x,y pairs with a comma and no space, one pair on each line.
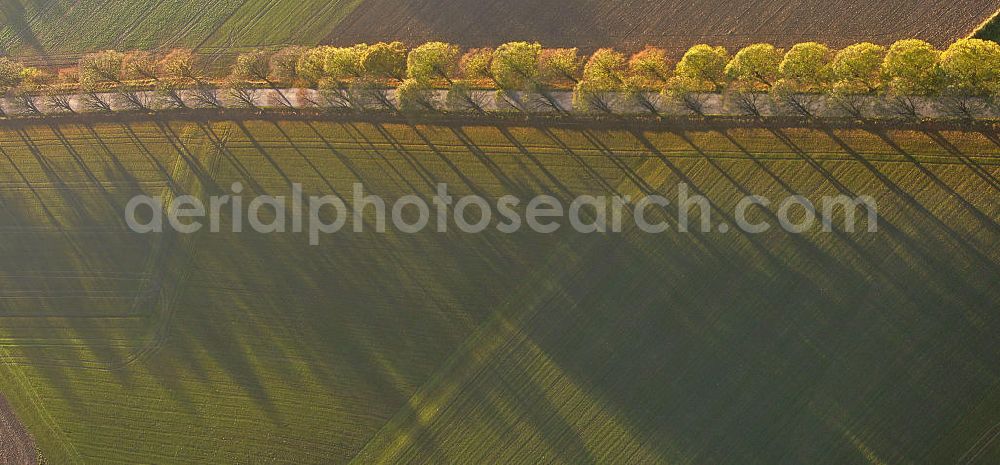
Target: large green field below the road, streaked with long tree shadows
525,348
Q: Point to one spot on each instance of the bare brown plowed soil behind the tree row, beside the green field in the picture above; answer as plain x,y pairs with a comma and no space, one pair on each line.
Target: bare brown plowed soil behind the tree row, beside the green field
673,24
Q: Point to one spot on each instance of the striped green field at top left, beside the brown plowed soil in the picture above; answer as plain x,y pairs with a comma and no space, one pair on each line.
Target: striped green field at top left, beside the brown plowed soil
61,29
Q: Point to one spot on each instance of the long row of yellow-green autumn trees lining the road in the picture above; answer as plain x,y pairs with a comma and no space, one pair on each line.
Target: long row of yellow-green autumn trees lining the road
757,75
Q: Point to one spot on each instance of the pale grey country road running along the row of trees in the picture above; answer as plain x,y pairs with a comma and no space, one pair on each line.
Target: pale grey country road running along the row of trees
552,102
